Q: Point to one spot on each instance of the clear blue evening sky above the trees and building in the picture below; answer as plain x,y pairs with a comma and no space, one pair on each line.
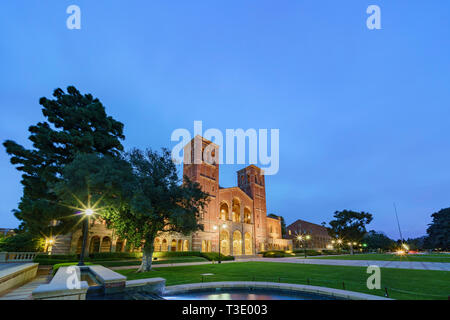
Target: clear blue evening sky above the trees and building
363,115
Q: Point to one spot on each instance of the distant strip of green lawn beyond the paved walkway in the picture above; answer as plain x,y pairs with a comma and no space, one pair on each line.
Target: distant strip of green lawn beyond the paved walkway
390,257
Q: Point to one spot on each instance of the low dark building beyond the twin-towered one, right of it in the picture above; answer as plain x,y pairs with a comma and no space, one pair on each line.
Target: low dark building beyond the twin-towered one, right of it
319,235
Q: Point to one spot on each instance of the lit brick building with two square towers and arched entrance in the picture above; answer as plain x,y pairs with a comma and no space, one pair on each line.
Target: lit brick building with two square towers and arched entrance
236,215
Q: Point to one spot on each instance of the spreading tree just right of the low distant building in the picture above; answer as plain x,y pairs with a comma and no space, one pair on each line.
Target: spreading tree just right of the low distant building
349,225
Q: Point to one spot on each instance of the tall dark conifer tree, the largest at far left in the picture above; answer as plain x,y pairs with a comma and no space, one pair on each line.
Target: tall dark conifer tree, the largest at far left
75,123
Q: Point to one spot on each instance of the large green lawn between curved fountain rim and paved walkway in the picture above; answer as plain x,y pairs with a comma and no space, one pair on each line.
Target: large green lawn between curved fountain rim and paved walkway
401,283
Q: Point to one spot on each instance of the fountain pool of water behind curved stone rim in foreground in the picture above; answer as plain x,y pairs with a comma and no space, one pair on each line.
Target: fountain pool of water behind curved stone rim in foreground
246,294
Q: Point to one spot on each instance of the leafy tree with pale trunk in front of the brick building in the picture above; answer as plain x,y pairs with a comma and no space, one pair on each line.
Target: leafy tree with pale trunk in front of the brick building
139,195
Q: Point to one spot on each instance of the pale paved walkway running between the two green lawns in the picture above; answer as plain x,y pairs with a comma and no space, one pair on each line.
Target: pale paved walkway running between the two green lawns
440,266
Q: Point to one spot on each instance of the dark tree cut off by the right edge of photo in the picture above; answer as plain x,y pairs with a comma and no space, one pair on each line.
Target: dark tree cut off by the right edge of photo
439,230
